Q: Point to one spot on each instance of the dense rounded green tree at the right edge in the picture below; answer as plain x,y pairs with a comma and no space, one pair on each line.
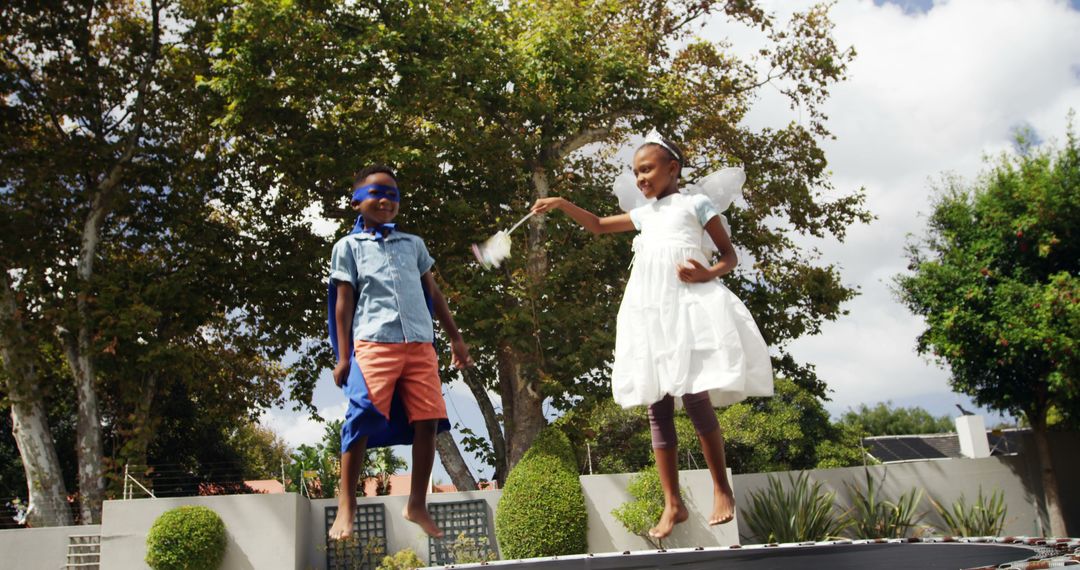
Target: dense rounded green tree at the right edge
996,280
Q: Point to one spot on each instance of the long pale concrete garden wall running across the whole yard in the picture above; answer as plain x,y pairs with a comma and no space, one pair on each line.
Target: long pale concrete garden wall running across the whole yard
288,532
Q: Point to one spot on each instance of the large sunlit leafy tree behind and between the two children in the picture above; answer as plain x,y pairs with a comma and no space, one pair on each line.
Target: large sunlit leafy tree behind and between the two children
488,106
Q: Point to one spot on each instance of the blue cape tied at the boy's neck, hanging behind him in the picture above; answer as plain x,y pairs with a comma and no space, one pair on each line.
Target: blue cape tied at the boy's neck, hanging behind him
362,418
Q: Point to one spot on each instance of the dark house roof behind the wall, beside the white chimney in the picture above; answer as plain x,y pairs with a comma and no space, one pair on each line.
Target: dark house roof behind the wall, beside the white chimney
894,449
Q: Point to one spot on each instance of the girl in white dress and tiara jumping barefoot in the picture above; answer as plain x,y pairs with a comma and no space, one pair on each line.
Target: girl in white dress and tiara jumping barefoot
680,331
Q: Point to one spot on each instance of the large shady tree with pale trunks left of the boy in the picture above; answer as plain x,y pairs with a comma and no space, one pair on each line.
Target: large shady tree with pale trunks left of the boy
127,249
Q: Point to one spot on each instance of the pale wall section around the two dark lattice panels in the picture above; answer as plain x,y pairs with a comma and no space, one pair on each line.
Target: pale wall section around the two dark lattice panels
401,534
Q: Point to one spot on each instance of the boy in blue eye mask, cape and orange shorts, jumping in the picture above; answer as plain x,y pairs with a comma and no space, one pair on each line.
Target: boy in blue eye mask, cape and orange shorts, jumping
381,288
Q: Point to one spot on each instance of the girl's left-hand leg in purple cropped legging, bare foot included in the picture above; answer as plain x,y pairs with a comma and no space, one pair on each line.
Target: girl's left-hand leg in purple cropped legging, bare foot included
666,450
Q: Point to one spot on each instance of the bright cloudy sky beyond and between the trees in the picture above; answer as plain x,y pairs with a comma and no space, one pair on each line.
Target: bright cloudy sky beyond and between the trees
936,89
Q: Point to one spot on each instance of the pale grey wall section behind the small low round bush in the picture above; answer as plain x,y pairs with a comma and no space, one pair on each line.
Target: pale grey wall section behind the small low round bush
264,531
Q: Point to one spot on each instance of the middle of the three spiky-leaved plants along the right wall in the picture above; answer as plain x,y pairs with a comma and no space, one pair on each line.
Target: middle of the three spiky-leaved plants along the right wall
873,518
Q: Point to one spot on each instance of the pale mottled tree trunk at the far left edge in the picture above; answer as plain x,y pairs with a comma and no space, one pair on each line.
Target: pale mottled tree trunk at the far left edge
30,420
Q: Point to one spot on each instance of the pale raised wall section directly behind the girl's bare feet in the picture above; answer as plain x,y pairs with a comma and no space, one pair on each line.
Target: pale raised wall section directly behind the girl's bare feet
606,493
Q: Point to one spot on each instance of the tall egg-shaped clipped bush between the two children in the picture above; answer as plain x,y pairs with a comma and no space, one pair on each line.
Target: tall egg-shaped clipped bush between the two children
543,510
